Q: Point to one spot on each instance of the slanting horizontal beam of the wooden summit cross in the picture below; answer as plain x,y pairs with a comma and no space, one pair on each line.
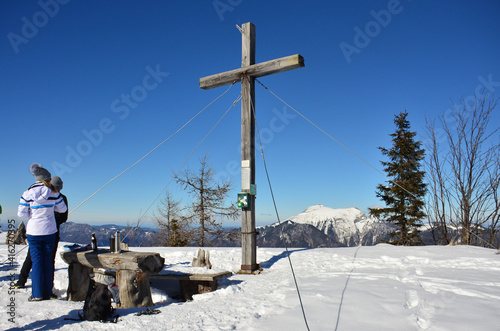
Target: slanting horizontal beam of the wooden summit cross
255,70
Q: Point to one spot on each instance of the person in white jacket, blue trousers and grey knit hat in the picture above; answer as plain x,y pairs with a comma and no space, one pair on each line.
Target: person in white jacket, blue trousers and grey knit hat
38,204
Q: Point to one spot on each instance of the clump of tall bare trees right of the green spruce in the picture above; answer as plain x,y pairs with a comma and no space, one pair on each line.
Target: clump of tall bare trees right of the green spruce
463,173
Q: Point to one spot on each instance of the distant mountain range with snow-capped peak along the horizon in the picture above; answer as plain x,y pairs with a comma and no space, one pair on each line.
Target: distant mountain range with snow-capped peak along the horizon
317,226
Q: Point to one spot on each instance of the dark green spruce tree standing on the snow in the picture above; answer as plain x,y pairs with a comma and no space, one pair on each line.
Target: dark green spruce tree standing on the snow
404,193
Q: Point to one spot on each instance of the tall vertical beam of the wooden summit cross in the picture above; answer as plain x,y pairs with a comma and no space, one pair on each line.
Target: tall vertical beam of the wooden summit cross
248,233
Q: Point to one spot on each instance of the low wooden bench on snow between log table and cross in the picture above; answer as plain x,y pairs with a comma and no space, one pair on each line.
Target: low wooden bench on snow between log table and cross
191,284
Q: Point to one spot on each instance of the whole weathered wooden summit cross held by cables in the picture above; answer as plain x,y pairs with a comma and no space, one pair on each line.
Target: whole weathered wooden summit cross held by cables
246,75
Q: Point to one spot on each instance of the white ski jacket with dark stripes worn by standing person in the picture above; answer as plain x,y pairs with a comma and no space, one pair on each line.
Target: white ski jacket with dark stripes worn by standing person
38,204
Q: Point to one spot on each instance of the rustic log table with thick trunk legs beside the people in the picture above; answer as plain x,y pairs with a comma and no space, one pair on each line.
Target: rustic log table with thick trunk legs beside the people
132,273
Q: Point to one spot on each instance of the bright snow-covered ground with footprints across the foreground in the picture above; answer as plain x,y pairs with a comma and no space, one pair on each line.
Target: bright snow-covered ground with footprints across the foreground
361,288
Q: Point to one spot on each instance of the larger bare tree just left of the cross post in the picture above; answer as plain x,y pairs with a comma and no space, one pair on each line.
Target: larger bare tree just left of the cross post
209,196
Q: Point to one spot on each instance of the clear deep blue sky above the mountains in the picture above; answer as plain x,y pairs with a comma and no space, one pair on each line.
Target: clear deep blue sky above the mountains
89,87
